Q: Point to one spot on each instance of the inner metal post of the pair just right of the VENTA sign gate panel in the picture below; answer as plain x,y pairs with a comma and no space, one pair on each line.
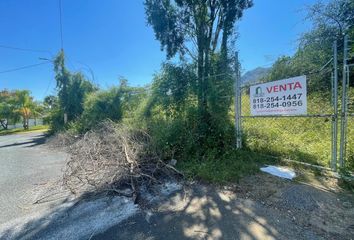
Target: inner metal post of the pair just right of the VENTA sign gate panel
335,107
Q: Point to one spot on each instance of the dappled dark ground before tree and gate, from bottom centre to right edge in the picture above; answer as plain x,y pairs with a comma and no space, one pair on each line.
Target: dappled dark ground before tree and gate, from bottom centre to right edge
259,207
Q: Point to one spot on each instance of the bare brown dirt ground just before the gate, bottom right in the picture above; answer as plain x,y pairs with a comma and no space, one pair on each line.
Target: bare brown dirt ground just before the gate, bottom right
315,202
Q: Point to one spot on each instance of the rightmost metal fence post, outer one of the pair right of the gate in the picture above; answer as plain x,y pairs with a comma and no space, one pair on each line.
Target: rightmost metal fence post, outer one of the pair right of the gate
344,110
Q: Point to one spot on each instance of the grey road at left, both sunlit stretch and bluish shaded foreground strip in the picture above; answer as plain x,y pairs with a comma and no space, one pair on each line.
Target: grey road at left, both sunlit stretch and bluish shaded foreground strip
30,170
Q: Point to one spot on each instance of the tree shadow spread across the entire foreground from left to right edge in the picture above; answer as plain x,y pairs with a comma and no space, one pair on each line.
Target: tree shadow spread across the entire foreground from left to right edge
198,212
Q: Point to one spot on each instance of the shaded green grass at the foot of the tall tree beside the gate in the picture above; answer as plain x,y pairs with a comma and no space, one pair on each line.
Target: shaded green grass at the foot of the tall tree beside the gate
223,168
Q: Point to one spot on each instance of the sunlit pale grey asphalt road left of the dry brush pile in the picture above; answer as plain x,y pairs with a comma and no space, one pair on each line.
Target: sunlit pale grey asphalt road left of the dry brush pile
25,163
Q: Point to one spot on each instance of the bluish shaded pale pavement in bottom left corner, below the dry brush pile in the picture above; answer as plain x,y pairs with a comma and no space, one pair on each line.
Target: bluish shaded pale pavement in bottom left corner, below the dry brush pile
69,219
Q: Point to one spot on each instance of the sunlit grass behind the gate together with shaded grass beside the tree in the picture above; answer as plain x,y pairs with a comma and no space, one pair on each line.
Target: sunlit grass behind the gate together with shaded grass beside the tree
269,140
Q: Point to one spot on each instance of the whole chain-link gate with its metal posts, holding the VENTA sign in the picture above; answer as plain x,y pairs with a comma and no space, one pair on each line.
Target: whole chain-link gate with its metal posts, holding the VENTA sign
323,136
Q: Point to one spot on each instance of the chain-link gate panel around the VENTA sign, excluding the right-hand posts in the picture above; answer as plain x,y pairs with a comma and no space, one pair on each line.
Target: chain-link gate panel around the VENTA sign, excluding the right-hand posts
304,138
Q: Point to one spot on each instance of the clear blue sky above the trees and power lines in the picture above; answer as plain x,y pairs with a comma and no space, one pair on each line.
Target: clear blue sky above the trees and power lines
112,38
